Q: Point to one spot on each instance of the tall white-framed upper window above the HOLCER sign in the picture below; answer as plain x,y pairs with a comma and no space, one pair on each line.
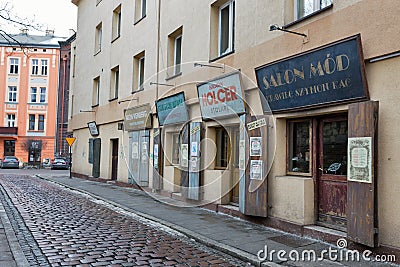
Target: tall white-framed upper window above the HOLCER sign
226,28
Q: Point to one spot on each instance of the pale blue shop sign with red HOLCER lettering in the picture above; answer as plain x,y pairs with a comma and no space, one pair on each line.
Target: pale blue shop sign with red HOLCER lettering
221,97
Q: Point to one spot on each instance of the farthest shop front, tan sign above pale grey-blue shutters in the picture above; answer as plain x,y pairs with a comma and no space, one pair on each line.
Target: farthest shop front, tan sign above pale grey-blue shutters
137,123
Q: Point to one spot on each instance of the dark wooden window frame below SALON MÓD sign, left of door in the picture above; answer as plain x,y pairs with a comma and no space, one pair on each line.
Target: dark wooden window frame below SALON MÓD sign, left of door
289,144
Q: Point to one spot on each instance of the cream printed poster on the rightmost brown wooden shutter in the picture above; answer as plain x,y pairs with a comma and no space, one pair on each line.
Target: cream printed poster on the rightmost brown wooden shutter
360,159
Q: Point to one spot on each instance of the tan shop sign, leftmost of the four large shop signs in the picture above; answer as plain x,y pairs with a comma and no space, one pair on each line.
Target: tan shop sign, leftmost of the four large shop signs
138,118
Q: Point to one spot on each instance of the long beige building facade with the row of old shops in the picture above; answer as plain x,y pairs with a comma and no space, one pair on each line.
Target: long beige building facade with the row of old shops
271,109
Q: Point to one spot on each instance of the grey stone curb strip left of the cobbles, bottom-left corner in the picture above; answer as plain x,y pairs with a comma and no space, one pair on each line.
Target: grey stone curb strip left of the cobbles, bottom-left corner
16,249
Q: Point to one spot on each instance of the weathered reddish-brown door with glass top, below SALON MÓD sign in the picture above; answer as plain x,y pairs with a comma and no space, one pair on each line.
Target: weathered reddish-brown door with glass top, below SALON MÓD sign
332,166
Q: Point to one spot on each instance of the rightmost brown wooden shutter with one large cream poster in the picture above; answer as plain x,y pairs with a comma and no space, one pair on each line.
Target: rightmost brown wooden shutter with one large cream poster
362,226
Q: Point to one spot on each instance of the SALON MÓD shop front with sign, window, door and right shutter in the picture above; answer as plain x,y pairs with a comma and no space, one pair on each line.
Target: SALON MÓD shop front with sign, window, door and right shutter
321,104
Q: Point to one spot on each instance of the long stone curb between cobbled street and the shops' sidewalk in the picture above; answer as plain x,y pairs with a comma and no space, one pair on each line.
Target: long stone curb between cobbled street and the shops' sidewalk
232,251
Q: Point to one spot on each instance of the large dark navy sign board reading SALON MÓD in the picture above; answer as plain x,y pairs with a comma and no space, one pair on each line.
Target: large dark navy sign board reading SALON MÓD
328,75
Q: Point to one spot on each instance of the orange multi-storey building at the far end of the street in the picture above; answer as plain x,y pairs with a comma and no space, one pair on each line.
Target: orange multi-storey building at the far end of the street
29,66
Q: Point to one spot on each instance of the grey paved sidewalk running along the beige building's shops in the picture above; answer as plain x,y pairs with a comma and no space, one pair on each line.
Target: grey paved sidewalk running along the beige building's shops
236,237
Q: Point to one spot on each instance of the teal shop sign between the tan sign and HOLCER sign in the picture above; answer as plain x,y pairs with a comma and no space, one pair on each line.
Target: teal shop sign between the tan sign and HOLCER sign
172,109
